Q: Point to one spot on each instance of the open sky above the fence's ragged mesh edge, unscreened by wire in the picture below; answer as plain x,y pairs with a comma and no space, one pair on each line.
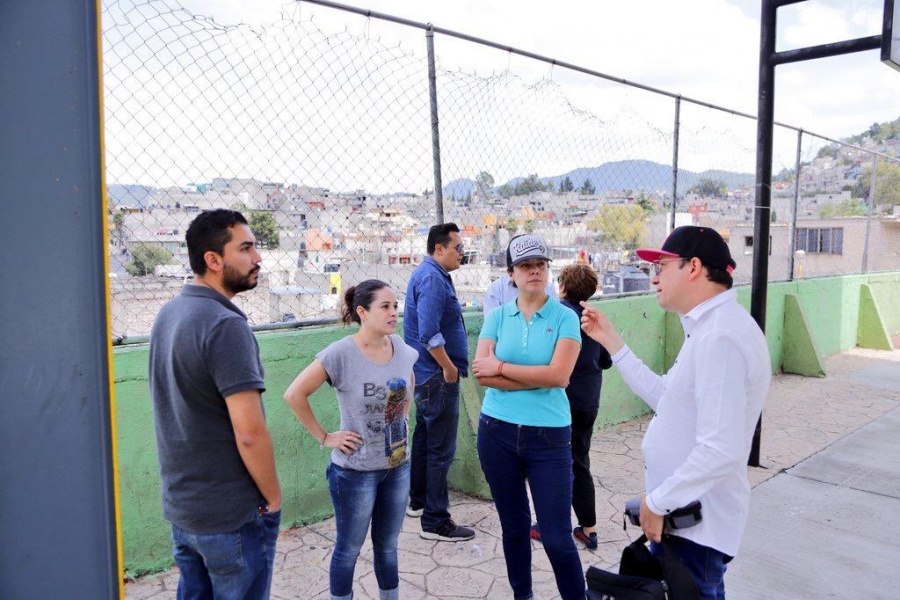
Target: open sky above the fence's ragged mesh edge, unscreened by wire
703,49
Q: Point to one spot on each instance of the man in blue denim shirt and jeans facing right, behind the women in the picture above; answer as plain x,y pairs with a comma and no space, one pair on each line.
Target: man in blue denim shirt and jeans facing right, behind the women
433,325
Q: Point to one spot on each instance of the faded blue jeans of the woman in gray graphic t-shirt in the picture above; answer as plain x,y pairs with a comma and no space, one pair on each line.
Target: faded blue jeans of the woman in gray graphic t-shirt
363,497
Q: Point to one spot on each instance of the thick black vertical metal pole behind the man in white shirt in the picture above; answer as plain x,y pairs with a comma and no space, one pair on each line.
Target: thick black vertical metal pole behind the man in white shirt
765,125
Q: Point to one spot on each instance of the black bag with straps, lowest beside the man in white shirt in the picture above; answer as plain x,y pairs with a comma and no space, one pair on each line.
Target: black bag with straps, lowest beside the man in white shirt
643,576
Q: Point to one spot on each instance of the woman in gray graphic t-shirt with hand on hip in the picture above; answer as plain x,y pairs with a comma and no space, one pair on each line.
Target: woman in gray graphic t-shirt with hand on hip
371,373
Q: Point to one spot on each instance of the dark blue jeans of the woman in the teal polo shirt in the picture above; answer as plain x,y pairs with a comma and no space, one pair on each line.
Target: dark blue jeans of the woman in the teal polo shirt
511,454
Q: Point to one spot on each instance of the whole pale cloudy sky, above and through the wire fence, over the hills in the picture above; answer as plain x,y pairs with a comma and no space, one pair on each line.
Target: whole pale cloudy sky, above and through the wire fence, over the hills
270,101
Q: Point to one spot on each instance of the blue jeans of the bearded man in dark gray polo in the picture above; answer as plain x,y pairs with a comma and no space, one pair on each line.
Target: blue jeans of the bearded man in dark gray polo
227,566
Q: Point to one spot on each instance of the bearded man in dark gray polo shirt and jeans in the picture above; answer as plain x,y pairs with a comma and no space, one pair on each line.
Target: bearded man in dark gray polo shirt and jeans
220,490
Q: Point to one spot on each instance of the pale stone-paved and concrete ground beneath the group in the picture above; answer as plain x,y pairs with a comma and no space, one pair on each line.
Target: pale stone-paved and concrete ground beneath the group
825,509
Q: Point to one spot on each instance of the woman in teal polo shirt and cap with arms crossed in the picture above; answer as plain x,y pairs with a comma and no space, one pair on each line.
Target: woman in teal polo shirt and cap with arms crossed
526,352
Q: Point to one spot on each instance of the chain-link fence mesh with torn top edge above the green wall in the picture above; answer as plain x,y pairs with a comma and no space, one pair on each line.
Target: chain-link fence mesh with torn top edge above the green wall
324,141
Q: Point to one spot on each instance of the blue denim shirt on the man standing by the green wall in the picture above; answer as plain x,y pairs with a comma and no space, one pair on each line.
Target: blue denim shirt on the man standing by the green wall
432,317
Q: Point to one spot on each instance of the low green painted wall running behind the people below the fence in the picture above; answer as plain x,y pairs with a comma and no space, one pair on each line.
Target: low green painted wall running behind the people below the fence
831,306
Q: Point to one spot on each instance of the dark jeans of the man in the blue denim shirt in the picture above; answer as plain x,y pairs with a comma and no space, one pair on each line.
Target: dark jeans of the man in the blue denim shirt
433,448
